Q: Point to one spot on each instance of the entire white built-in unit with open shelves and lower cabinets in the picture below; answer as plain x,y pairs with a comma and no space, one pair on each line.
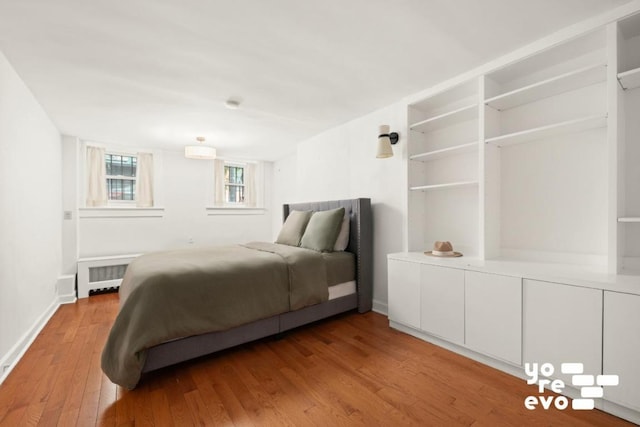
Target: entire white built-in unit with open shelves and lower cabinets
541,222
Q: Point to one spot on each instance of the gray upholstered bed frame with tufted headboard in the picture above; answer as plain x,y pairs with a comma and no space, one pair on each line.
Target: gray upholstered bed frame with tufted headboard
360,244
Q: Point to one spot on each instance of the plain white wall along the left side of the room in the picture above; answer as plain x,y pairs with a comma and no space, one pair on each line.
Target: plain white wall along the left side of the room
30,212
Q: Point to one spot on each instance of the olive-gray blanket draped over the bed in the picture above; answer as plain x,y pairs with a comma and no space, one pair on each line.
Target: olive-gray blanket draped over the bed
170,295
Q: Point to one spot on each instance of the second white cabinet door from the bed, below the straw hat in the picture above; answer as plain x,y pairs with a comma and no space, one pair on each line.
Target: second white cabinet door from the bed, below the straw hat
442,301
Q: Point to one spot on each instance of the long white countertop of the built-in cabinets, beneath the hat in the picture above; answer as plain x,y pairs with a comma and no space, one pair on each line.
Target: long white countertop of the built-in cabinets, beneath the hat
577,275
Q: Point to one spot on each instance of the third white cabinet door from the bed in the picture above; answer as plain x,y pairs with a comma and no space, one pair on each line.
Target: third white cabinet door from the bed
493,315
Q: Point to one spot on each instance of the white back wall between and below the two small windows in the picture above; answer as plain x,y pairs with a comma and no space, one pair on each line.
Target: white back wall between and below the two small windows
184,184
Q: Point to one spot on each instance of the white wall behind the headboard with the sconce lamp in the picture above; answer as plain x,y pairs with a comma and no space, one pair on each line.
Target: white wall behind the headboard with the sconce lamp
341,163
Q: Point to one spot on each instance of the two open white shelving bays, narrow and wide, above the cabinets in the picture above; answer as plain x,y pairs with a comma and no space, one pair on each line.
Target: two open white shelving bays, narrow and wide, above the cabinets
530,195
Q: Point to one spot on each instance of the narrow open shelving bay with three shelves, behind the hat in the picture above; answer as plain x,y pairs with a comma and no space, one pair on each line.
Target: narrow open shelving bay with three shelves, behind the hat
443,168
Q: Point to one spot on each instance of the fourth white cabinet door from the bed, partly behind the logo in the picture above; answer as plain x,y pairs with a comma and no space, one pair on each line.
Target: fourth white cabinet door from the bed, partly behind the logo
562,324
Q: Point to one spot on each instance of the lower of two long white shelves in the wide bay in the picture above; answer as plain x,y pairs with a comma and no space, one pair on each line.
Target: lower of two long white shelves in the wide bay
569,126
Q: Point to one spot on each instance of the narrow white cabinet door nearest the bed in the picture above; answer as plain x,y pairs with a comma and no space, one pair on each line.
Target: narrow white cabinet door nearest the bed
404,292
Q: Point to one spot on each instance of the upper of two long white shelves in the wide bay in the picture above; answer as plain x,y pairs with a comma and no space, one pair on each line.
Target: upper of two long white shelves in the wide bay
563,83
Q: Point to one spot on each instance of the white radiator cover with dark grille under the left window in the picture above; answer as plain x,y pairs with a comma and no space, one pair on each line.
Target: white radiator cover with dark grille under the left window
101,273
